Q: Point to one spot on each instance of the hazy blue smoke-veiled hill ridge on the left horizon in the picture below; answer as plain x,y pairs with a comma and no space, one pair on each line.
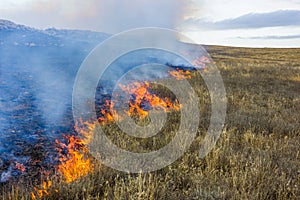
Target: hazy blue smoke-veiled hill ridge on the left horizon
12,34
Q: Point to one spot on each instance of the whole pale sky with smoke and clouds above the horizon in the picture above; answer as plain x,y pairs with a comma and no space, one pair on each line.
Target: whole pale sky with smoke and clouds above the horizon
250,23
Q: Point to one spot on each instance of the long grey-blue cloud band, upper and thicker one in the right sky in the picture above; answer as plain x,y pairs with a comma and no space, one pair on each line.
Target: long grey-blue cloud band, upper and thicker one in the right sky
250,21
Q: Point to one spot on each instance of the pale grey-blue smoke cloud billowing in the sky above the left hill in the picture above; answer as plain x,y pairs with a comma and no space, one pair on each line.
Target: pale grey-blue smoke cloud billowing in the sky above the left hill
101,15
